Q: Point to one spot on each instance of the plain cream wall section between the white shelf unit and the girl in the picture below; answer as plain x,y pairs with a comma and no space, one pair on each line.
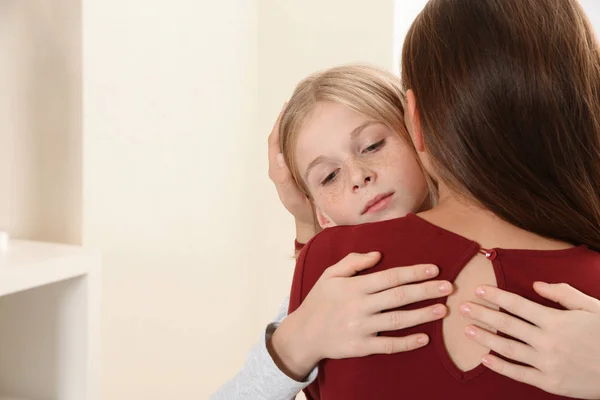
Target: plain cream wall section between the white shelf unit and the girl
169,122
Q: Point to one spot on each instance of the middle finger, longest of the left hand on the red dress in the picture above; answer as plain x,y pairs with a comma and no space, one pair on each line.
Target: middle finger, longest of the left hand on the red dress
407,294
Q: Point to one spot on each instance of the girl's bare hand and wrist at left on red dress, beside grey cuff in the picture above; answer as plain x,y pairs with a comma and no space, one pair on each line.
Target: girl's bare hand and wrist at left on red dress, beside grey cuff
343,313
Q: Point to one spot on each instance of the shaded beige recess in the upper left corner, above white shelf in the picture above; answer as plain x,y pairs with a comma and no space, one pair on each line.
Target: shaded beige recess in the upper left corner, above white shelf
40,119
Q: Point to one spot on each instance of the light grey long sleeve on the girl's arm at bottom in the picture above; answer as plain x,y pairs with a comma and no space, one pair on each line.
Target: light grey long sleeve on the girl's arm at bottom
260,378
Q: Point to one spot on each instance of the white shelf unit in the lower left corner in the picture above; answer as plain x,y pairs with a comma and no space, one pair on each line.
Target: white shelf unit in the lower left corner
49,322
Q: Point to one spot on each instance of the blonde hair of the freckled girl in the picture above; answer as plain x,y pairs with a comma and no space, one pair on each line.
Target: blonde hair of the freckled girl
368,90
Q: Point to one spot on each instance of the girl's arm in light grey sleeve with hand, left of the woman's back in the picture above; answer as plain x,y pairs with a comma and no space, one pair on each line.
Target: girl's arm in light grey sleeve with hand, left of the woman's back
323,326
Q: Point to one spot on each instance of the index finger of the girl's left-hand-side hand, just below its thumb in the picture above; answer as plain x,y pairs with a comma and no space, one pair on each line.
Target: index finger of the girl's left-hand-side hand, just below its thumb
393,277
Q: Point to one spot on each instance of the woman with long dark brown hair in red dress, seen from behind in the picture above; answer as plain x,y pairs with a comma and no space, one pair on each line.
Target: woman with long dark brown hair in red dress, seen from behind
502,104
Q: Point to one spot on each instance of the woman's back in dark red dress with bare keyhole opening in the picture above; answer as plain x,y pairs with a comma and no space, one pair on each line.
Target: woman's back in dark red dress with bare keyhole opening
449,366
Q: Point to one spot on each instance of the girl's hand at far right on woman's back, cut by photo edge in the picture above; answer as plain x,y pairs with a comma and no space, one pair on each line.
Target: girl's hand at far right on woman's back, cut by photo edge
561,346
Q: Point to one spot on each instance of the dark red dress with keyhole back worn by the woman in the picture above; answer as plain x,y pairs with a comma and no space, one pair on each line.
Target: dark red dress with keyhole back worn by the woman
429,372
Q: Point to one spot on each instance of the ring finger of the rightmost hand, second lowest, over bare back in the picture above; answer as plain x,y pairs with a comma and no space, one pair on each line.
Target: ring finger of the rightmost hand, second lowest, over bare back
508,348
